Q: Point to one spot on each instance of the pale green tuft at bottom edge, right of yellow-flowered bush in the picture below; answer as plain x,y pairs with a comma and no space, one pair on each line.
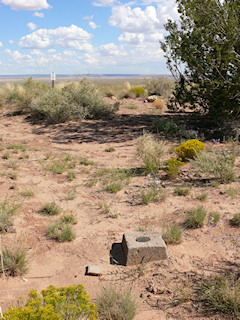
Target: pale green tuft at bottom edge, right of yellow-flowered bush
117,304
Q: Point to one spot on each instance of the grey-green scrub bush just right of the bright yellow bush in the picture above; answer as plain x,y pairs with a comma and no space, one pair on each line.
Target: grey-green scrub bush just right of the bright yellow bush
220,165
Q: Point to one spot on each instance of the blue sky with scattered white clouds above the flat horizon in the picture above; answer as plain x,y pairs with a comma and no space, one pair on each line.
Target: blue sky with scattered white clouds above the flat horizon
83,36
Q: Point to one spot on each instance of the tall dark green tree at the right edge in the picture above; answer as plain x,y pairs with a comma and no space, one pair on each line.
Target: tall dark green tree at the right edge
206,42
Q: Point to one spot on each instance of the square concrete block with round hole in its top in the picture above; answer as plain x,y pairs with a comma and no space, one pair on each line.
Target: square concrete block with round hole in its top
142,247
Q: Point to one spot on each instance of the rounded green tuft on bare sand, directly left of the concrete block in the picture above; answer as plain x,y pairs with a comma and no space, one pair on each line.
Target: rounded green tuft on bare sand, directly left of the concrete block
60,231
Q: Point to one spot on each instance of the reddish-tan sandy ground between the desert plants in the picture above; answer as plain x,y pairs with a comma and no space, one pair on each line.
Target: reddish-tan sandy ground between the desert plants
163,289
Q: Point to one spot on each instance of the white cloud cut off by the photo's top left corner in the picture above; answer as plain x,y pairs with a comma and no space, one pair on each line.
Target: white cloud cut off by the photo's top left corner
27,4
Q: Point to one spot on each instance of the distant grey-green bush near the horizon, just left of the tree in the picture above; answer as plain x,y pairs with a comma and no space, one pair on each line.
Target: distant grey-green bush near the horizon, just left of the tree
161,86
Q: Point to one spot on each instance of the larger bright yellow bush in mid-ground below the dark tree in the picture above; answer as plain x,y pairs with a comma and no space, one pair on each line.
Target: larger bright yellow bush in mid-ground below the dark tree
189,149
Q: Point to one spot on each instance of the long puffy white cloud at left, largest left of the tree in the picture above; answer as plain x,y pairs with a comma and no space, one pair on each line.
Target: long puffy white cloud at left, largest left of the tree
65,37
